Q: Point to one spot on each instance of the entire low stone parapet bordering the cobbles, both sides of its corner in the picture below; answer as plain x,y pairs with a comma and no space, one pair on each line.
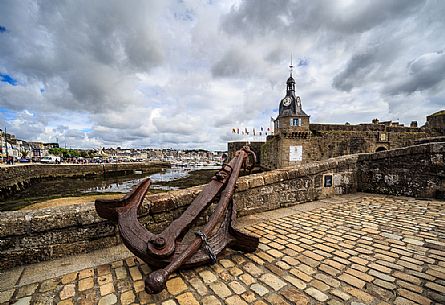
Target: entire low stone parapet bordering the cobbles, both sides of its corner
45,234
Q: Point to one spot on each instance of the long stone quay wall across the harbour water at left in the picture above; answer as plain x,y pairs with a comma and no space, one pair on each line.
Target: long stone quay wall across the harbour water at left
13,178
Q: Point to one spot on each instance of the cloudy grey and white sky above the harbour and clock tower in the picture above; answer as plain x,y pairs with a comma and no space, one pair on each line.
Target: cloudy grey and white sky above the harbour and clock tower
182,74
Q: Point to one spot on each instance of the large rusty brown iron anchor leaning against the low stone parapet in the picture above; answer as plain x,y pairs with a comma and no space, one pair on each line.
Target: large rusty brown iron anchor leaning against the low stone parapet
166,252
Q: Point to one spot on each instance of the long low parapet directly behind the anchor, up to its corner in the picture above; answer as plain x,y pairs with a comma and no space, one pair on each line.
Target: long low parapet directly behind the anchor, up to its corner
44,234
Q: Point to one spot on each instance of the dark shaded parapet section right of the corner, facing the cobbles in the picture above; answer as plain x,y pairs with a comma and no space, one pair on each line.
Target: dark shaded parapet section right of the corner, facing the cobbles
416,171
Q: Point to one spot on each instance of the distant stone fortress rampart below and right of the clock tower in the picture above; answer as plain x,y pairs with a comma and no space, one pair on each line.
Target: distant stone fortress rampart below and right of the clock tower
328,141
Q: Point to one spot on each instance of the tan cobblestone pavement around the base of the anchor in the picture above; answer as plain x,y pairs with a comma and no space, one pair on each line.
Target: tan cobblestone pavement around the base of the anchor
361,249
